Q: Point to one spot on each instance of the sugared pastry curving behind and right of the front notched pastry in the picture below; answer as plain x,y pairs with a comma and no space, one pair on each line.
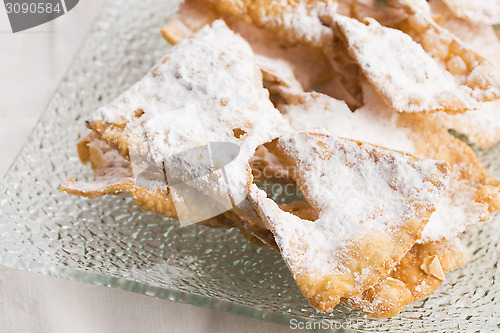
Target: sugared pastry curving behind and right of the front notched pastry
472,194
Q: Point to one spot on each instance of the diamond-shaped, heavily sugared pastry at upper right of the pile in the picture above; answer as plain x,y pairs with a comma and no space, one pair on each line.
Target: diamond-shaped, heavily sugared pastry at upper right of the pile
408,78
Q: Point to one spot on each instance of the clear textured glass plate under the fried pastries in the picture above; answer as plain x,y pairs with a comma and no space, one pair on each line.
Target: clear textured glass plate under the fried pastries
110,242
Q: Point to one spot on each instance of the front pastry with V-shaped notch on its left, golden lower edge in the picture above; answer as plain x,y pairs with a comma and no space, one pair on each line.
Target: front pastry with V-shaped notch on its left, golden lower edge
372,205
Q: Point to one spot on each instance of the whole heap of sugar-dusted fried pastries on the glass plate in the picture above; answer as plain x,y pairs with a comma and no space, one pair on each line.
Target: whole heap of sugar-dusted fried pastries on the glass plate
353,103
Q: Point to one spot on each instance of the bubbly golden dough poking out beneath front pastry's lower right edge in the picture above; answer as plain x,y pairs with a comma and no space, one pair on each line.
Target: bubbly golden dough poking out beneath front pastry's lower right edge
417,275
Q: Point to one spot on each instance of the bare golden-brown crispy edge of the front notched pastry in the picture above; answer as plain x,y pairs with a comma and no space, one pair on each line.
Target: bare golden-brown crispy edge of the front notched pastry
325,292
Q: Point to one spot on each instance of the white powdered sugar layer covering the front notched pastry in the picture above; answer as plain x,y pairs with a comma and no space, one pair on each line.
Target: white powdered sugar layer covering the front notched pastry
358,190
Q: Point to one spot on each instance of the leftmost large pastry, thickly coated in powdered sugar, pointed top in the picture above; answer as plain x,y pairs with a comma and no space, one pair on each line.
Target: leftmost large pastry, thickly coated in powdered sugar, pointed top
186,102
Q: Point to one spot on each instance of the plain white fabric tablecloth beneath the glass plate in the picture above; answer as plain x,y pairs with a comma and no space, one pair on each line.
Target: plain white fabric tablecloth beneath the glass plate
31,65
